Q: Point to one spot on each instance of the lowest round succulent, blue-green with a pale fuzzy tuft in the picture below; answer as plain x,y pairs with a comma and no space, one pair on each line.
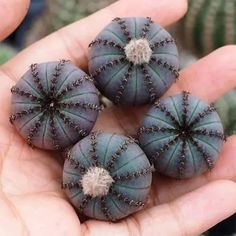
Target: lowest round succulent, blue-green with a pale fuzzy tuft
107,176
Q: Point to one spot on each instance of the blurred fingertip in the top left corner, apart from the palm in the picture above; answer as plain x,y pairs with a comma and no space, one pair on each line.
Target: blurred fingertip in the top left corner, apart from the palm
11,12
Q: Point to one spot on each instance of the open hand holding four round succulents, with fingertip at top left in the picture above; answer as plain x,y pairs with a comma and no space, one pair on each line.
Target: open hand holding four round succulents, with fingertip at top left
31,199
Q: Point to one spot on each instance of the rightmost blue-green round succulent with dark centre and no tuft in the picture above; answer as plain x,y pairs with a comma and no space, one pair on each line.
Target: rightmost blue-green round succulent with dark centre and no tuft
182,136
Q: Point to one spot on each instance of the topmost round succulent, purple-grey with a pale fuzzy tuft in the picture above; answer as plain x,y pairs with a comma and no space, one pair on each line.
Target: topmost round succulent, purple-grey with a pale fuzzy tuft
133,60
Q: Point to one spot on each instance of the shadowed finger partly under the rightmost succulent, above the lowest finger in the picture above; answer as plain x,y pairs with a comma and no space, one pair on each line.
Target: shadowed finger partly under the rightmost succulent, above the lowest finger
166,189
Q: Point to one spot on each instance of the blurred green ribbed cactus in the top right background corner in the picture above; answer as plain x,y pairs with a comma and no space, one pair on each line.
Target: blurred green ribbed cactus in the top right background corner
209,24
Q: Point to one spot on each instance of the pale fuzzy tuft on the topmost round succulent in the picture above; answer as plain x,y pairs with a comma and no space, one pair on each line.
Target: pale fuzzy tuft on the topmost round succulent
138,51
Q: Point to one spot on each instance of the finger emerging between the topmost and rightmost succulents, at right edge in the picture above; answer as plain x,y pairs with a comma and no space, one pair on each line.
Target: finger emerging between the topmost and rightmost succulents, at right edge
210,77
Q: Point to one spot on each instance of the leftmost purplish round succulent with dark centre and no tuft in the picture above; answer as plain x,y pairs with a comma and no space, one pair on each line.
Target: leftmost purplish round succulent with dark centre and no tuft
54,105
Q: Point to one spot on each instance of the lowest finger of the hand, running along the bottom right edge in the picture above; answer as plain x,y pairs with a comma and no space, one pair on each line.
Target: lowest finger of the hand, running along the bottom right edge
191,214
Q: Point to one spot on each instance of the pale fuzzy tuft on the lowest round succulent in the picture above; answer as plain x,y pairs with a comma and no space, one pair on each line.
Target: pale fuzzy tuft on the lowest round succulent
96,182
